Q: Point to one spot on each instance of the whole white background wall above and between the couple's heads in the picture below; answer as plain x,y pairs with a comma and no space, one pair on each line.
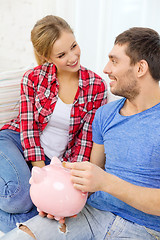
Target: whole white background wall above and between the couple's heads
95,22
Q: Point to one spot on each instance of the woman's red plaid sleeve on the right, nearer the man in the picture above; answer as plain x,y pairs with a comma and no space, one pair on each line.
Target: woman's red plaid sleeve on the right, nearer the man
80,142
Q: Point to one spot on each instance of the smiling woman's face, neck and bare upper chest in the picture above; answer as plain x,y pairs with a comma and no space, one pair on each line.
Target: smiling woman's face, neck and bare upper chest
66,56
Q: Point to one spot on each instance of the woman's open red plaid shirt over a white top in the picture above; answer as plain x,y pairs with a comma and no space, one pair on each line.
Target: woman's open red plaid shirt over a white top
39,93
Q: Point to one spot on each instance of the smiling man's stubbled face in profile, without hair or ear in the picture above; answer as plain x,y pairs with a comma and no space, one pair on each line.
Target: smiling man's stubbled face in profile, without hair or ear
121,73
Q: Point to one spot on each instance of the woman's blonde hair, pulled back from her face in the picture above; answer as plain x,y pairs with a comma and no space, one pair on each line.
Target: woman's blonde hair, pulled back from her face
44,34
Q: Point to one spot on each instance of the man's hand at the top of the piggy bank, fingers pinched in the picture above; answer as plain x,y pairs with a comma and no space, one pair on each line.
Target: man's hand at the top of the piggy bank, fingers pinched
86,176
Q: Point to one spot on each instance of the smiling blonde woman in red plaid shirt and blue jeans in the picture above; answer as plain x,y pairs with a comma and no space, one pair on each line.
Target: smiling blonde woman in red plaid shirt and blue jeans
58,102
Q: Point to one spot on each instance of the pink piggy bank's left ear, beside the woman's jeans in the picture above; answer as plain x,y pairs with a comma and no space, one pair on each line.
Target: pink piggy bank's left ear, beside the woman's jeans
37,175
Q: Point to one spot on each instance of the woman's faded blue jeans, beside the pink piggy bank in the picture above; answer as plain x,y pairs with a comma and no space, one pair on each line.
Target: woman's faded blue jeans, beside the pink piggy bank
15,202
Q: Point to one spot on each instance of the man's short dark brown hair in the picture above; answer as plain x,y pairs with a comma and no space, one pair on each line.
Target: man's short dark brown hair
142,43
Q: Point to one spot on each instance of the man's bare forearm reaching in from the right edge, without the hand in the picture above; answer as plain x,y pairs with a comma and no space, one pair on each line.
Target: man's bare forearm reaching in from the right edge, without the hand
142,198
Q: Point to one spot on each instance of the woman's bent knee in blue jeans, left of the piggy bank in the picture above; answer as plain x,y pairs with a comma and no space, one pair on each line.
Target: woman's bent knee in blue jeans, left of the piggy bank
14,180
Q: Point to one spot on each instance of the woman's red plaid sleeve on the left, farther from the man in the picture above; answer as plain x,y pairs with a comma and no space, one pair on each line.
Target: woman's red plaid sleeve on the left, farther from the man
29,130
